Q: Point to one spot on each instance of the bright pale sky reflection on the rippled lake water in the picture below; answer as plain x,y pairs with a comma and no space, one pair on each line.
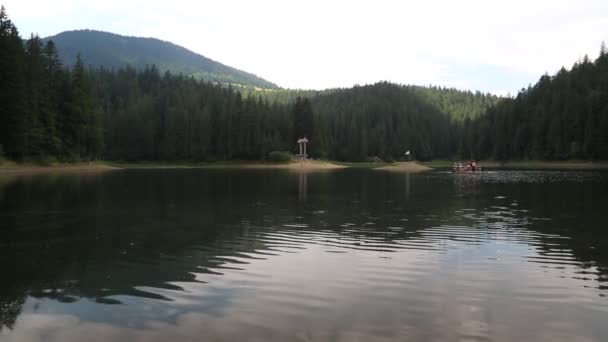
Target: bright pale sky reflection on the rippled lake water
476,287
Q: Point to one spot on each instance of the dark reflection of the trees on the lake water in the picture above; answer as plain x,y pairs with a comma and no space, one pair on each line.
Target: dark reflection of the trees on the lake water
68,237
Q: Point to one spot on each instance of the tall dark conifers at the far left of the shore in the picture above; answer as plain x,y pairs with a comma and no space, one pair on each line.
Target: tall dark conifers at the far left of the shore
46,111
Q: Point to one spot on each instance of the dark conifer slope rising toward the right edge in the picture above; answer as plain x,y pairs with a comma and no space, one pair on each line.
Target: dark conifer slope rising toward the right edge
564,116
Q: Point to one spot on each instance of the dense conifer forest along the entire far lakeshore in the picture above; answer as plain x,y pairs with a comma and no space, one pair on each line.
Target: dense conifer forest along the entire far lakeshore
52,111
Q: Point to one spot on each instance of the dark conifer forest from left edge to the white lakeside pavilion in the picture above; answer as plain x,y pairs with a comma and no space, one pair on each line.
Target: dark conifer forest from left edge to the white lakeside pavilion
51,111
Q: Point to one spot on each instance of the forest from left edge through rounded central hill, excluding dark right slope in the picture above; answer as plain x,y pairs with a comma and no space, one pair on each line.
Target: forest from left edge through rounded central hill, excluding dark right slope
52,111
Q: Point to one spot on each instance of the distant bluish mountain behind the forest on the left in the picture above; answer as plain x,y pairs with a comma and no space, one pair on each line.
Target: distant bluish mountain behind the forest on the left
111,50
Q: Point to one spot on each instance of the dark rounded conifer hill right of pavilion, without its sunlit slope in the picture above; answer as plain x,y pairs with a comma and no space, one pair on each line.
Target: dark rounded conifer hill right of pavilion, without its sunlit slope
382,120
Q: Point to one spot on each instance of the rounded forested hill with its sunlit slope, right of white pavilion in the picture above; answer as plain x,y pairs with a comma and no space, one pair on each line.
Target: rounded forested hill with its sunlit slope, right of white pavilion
386,120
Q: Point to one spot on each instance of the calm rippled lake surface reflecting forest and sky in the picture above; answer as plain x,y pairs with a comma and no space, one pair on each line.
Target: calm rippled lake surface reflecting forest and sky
345,255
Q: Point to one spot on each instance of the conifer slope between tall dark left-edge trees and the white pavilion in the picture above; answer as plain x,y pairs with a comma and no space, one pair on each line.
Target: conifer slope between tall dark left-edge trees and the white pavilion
147,116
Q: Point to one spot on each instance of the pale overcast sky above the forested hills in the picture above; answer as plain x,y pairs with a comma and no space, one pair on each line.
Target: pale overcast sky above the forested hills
491,46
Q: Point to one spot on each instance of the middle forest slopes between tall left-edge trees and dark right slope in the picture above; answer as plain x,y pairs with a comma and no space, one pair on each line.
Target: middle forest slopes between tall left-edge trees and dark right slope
149,117
